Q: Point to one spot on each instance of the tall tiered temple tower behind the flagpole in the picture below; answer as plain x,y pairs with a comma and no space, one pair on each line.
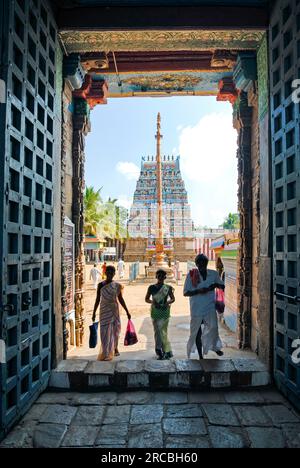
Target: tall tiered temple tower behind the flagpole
177,221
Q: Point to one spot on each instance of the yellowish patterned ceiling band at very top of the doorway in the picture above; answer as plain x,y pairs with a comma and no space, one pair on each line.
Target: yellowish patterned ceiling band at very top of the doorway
105,41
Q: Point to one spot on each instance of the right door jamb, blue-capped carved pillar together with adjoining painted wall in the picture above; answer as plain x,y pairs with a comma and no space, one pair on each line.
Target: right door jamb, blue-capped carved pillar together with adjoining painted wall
254,265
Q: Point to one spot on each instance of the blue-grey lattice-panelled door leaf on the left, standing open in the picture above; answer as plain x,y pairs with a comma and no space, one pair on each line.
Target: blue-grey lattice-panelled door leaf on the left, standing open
28,68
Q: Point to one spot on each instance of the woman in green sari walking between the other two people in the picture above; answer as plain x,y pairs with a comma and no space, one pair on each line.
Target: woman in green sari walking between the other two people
162,298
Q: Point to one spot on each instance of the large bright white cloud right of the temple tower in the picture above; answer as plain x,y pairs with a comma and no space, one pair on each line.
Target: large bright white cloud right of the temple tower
209,167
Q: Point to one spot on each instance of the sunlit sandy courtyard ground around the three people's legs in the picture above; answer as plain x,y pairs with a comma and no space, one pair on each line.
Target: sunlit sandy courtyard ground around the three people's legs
134,295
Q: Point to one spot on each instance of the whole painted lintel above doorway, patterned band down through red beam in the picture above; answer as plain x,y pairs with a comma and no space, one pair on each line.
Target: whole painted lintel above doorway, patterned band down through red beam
158,62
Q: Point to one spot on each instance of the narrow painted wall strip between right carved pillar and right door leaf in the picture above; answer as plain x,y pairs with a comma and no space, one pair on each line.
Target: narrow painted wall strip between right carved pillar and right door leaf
260,319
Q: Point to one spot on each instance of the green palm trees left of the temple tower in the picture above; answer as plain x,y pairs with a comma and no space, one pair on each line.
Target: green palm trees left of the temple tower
103,219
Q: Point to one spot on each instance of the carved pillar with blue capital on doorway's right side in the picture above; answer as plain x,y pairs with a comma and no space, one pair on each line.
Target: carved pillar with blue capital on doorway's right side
245,79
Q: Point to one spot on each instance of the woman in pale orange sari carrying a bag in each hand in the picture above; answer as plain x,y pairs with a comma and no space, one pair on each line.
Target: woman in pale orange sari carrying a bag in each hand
109,295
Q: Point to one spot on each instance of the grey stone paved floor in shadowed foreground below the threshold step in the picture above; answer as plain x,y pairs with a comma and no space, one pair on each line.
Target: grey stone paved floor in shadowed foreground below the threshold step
159,420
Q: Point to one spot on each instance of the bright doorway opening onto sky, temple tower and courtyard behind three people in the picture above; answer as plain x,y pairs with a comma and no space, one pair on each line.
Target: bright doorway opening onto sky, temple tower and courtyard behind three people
120,170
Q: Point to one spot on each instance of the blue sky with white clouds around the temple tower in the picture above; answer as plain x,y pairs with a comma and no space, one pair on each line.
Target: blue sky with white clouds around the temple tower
199,129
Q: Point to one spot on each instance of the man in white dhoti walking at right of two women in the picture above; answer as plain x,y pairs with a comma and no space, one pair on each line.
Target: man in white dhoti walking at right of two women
200,285
